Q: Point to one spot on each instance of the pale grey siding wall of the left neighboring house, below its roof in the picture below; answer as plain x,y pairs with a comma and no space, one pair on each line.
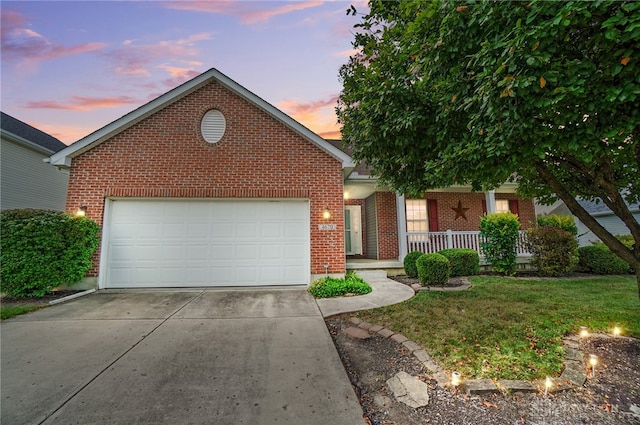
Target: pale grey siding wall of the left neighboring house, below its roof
28,182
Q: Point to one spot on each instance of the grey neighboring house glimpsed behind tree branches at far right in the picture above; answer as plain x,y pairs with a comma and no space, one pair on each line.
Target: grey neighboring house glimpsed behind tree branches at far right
603,215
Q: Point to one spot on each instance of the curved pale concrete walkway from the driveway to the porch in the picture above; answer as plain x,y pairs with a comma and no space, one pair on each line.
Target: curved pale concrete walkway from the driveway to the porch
385,292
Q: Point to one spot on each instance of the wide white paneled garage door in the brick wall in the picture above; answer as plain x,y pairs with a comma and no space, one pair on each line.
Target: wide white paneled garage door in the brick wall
206,243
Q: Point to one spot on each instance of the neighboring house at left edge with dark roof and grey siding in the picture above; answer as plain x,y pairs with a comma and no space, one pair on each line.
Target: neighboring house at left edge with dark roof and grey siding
26,180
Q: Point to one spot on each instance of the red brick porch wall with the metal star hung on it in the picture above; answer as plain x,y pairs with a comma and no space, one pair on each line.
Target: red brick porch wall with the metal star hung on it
473,201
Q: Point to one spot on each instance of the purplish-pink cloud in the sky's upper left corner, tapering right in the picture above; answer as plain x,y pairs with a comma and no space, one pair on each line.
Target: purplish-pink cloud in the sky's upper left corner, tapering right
28,48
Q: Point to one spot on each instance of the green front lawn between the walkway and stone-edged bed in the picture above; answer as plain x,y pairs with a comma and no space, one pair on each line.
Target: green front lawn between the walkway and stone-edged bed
511,328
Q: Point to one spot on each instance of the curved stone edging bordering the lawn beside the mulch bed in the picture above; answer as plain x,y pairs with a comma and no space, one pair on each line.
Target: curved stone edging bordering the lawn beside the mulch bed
573,375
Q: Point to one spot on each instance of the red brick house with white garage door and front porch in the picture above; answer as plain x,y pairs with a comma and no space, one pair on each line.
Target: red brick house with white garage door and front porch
209,185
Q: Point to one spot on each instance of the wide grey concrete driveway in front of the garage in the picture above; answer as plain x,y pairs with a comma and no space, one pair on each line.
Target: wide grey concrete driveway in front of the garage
177,357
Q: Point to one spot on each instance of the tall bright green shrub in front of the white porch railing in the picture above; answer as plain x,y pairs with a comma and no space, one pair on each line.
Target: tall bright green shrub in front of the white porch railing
499,234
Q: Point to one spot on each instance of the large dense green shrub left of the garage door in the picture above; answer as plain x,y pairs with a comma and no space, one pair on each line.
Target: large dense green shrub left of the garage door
44,249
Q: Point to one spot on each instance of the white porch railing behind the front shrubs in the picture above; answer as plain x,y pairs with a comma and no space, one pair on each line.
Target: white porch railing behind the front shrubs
429,242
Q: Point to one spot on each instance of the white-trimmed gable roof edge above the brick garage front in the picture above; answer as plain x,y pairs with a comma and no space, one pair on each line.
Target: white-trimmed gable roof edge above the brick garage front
65,156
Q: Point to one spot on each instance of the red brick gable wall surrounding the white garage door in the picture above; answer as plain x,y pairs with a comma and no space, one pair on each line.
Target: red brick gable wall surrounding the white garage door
165,156
